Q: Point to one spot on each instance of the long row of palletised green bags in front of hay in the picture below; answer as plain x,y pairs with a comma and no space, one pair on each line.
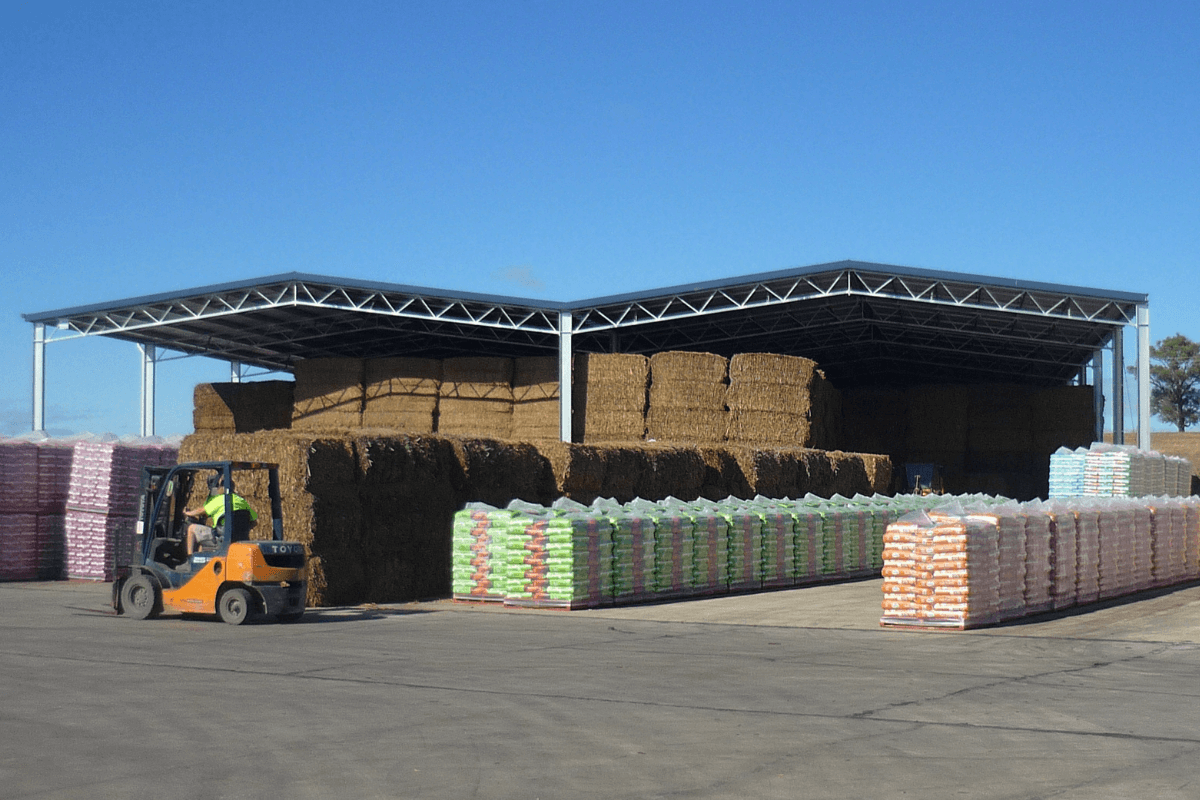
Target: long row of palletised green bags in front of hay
572,556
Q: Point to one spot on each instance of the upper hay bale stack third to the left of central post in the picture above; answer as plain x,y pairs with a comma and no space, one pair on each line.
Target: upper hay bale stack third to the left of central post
401,394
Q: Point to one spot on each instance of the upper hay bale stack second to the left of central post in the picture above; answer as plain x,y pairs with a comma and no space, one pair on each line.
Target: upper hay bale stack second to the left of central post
477,398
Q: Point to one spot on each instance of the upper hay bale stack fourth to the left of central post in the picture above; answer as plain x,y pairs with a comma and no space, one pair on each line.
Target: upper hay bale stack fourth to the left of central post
328,394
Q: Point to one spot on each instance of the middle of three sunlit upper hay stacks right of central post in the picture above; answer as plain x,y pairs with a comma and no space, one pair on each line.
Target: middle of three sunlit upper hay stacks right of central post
687,398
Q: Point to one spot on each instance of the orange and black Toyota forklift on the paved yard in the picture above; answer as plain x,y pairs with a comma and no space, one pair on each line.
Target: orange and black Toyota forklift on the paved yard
235,578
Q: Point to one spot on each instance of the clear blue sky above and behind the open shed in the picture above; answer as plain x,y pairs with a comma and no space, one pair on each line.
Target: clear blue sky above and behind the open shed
567,151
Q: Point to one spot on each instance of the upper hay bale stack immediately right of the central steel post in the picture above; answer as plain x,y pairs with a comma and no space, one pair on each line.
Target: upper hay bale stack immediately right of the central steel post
610,396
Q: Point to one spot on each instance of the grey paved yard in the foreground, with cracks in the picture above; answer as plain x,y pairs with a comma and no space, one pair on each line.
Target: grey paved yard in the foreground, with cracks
796,694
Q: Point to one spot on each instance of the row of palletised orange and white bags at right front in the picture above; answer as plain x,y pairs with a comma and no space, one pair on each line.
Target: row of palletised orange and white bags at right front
970,562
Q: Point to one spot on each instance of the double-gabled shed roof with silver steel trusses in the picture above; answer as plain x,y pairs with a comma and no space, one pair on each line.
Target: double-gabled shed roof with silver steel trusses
865,324
